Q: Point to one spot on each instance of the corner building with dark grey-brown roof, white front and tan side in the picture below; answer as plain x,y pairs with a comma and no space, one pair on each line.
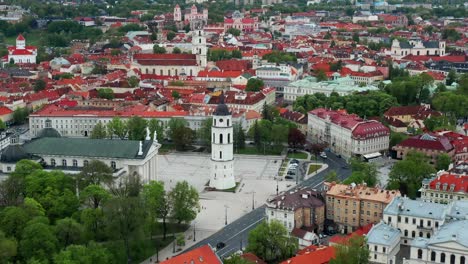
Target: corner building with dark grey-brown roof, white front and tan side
300,208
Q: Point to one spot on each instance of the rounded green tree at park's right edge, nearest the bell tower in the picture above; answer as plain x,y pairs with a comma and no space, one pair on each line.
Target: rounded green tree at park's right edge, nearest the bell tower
185,202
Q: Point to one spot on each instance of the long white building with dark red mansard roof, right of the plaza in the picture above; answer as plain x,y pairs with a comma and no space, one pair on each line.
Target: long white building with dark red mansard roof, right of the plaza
346,134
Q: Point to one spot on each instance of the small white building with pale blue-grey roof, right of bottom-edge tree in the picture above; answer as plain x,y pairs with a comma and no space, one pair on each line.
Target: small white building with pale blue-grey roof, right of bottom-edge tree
384,243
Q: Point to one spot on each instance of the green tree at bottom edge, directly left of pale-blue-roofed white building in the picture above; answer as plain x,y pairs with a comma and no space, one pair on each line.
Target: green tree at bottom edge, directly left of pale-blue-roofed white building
354,251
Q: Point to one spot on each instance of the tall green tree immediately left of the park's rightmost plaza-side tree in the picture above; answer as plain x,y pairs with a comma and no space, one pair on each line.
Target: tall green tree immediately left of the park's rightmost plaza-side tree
158,203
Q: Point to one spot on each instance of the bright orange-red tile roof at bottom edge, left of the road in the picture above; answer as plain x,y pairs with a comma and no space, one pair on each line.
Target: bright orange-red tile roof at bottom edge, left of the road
202,254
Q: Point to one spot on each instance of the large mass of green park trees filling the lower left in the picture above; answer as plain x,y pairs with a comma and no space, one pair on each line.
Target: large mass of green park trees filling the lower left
51,217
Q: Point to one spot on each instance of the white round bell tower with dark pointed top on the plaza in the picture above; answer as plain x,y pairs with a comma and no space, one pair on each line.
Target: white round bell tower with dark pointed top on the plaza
222,156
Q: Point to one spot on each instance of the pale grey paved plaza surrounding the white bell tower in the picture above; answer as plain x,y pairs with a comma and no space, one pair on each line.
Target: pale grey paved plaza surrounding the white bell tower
253,174
